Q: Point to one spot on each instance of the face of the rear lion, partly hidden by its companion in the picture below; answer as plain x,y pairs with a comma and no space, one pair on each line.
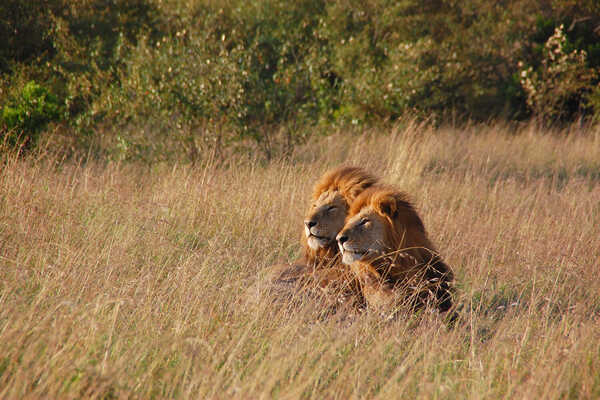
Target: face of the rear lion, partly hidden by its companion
325,219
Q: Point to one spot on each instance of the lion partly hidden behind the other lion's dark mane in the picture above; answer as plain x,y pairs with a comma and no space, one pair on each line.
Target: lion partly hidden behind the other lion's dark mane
320,264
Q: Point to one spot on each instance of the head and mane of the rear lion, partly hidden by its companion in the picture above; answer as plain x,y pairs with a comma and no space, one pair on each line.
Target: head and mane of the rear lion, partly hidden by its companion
332,196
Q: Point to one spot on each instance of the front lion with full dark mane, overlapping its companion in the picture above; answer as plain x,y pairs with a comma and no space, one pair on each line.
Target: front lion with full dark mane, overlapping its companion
385,244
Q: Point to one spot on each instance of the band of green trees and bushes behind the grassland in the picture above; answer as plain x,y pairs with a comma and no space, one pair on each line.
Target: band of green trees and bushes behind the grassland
156,79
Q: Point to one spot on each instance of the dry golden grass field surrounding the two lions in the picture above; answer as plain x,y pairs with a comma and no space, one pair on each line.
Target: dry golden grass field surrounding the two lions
123,280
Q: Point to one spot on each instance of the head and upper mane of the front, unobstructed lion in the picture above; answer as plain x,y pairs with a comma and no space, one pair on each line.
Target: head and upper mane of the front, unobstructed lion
382,220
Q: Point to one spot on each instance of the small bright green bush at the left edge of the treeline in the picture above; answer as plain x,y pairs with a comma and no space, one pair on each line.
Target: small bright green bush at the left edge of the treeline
29,114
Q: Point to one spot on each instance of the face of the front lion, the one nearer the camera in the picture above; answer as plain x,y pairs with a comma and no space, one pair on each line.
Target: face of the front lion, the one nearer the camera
364,236
